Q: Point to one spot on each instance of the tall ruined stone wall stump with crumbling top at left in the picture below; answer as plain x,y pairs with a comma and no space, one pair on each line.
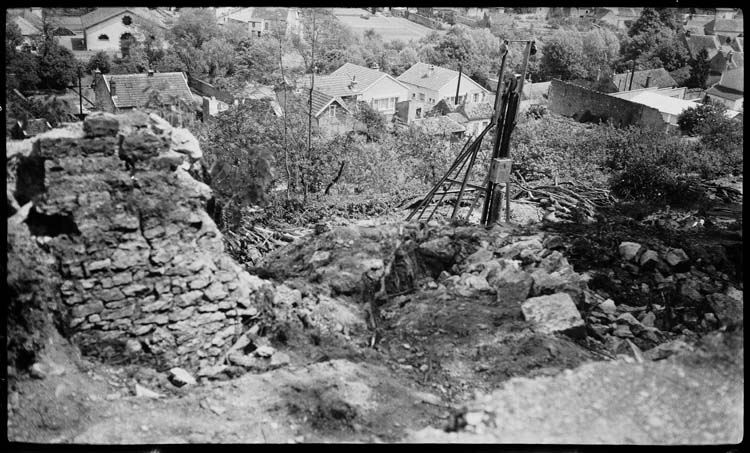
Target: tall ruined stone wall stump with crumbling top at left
139,257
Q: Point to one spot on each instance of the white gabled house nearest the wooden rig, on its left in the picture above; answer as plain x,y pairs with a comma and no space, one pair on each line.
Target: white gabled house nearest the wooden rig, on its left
429,83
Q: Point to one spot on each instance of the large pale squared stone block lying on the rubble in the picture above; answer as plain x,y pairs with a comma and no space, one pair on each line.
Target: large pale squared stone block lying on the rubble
554,313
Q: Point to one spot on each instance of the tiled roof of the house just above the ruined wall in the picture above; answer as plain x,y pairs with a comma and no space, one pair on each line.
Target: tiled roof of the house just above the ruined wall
132,89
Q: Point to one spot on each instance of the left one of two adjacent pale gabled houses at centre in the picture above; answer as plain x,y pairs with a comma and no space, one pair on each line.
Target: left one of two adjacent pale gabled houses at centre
354,83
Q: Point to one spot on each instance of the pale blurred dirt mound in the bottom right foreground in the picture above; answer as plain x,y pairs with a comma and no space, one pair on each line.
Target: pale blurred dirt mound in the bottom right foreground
692,398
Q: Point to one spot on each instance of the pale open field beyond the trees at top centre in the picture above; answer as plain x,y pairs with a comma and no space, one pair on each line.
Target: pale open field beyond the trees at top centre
390,28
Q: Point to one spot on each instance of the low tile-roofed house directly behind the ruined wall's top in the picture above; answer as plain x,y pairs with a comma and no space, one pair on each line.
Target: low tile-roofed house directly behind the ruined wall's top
123,92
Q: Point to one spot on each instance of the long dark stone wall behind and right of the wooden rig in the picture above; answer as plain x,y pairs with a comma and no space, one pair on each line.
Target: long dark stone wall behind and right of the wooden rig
586,105
